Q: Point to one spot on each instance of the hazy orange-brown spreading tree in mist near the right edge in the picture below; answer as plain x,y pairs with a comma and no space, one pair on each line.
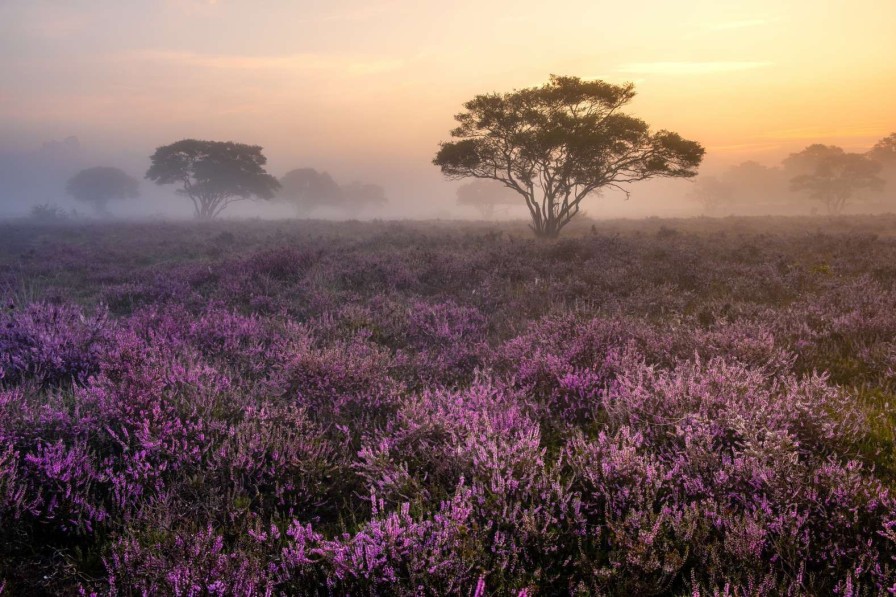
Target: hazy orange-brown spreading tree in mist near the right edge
832,176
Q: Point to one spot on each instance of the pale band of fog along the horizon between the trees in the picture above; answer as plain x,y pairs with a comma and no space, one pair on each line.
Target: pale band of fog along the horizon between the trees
414,190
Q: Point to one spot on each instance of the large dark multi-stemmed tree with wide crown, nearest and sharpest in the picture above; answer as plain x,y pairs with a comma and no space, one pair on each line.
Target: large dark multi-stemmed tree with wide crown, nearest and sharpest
557,143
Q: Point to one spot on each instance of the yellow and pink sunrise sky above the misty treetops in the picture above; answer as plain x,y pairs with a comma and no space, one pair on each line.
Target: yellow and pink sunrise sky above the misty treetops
367,89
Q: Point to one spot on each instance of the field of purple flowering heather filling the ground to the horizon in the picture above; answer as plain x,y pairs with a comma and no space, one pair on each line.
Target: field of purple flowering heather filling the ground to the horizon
656,407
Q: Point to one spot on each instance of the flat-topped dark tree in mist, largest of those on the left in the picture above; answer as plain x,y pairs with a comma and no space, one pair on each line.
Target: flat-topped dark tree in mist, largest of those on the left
213,174
